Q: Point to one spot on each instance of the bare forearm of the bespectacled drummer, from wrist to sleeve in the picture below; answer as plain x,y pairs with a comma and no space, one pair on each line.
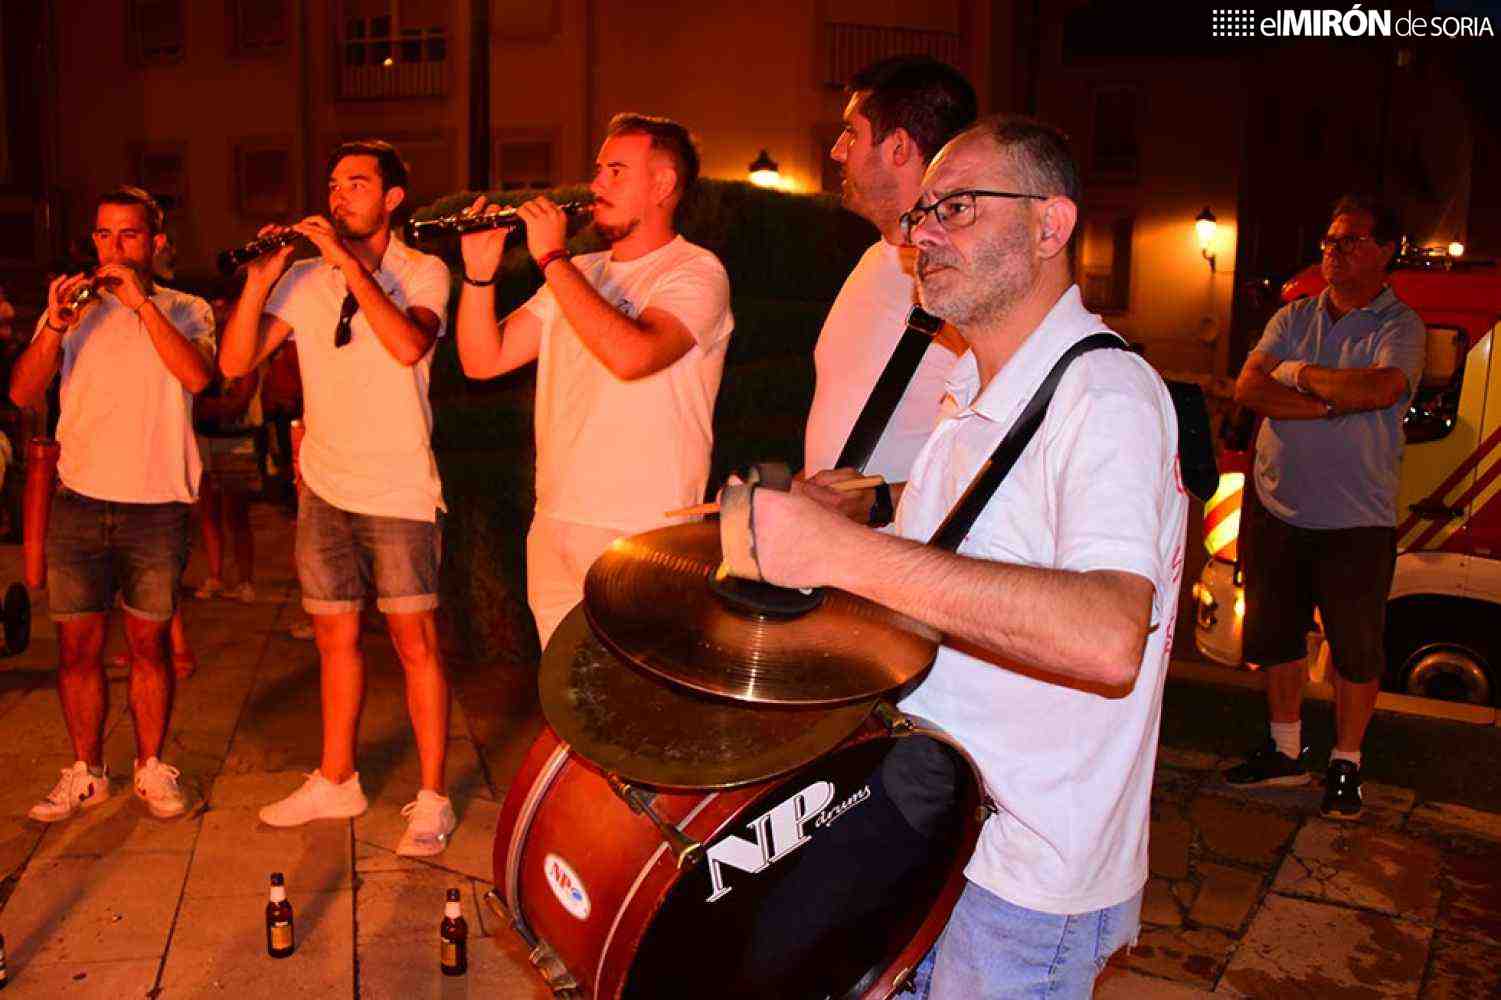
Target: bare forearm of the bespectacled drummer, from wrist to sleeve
1077,625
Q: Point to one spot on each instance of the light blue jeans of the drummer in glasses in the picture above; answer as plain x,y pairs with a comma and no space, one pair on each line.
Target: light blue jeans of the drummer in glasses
993,950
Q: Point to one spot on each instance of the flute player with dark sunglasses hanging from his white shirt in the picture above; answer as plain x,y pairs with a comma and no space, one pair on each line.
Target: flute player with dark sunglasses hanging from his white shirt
365,316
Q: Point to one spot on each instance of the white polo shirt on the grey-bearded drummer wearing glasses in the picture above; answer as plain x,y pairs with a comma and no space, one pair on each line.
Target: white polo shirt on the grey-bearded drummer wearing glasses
1098,489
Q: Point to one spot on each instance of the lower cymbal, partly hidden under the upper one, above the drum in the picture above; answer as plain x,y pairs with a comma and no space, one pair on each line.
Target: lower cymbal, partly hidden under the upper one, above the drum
652,733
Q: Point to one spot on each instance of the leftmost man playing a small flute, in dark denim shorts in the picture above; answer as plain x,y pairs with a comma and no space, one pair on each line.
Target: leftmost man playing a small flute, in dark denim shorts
128,475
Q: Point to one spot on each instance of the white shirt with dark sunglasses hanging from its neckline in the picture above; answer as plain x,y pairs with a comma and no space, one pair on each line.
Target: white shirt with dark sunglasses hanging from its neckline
368,447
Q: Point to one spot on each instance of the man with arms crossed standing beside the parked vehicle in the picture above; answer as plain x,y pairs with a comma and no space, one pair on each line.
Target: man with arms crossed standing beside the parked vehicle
1332,379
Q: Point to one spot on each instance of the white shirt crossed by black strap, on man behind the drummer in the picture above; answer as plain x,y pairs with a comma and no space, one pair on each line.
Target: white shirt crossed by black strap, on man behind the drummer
861,334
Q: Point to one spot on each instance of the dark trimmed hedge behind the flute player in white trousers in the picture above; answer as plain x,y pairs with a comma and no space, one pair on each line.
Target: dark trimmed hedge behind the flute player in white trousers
787,258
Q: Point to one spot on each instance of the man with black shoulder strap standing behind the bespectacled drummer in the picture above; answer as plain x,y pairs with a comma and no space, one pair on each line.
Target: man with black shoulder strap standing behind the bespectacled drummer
901,112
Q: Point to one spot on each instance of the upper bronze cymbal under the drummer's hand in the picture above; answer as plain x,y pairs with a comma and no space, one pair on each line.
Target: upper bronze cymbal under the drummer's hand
651,600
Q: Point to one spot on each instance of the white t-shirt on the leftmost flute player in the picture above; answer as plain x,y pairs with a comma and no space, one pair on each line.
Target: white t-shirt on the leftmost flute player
127,423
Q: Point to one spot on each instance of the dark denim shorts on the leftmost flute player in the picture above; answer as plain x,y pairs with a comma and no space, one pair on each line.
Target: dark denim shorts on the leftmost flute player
98,549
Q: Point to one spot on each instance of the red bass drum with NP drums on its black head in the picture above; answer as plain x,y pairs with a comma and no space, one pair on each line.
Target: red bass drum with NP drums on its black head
831,882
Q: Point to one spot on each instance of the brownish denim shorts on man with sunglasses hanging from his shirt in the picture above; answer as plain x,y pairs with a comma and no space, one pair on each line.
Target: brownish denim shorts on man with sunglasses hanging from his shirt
341,555
